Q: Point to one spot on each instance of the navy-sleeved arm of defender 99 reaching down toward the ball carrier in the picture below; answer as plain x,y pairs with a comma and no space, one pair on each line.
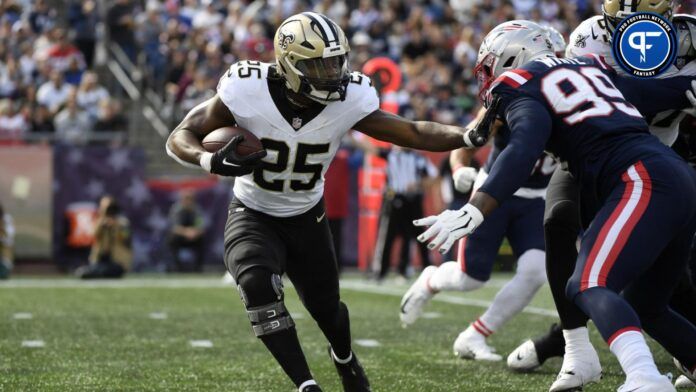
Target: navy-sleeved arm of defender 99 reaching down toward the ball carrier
530,126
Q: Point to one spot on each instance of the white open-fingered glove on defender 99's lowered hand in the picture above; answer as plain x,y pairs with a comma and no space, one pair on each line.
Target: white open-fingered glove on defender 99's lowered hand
449,226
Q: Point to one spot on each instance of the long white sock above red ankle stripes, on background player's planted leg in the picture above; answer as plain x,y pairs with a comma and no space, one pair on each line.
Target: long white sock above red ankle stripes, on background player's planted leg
518,292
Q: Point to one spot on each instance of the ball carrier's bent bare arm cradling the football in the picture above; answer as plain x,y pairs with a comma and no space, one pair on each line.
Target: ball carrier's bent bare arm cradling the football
184,143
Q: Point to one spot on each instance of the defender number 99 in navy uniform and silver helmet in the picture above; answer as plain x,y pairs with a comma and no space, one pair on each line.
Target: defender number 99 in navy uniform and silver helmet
639,195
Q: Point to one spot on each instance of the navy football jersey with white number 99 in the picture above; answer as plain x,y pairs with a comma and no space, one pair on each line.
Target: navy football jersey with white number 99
573,109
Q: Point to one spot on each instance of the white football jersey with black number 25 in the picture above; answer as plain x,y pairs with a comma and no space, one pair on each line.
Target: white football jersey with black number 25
290,180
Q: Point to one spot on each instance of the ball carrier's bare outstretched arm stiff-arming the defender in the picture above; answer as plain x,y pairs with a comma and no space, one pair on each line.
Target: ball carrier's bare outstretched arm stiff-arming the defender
422,135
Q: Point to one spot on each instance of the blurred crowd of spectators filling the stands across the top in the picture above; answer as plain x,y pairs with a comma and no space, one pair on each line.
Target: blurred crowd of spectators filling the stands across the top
47,83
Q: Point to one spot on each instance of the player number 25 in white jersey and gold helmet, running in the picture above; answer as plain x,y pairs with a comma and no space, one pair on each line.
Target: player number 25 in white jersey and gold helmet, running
299,107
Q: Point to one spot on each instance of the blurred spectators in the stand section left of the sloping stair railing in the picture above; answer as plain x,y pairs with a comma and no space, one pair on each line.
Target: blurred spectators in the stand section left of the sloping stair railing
48,85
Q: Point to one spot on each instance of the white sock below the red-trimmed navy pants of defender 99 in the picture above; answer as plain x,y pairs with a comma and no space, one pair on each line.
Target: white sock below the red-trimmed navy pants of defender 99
633,354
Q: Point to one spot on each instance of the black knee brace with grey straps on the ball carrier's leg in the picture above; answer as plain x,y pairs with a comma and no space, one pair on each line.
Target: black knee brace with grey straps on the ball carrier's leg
262,295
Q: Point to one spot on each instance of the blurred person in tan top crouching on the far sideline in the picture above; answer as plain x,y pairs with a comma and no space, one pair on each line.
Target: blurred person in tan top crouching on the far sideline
111,254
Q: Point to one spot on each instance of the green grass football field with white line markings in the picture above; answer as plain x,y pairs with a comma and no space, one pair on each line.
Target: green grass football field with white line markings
100,336
